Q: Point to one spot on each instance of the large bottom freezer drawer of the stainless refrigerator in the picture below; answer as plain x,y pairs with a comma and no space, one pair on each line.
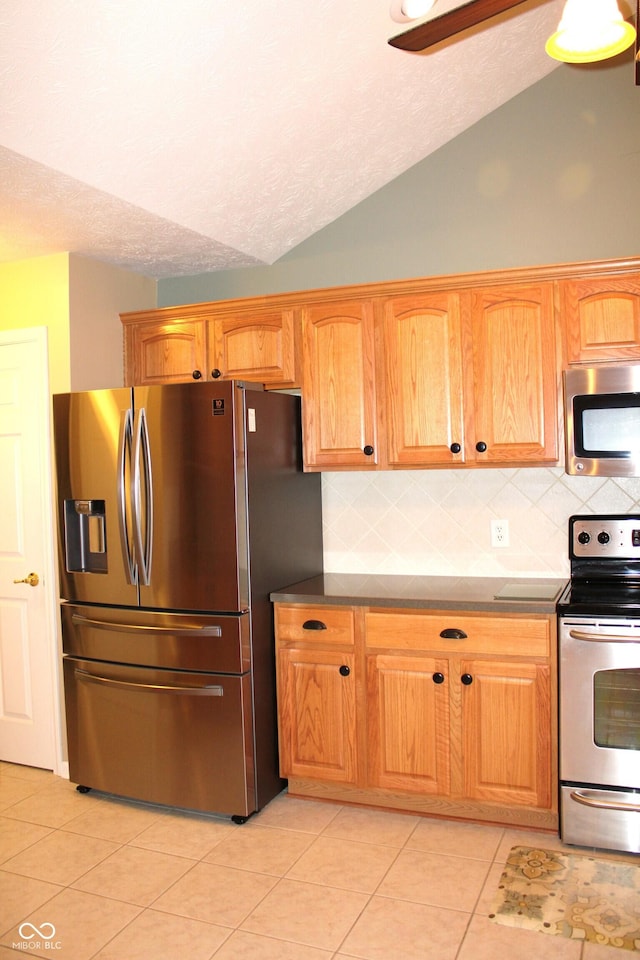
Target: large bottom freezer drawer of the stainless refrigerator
162,736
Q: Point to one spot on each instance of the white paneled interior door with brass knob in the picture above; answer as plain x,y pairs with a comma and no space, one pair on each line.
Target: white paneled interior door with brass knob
29,702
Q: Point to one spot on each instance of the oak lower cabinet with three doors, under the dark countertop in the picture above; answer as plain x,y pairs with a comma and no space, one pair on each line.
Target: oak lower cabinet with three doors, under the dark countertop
407,719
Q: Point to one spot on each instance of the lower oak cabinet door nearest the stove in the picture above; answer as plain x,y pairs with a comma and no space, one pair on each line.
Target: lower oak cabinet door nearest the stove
506,731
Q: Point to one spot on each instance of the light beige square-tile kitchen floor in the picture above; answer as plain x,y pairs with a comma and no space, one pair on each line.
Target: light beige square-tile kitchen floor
301,880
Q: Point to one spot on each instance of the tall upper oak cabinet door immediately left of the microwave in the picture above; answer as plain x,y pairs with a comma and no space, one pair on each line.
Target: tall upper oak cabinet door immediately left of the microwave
515,375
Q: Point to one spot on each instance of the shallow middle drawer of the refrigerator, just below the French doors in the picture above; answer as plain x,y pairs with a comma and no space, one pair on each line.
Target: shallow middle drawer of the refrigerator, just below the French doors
170,640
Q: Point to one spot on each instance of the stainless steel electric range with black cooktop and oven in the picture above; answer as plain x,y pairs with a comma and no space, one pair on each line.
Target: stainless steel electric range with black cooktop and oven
599,667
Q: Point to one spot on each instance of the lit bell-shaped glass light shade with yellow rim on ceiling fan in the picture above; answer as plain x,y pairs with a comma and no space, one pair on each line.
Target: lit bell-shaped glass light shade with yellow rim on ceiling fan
590,30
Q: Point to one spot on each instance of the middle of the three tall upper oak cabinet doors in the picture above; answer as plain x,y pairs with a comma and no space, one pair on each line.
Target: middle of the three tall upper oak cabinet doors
423,379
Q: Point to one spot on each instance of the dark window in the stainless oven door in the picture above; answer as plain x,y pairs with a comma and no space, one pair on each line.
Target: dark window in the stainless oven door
617,709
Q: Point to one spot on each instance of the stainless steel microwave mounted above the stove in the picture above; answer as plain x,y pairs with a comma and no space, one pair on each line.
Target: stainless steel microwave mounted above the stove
602,420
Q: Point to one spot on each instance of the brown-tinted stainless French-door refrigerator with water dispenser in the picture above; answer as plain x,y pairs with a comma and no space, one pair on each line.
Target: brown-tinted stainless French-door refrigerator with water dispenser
181,508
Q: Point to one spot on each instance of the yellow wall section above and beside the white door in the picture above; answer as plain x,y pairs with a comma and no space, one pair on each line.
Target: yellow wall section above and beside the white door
35,293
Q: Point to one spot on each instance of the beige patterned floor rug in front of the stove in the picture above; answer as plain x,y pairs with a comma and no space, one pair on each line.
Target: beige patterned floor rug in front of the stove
582,897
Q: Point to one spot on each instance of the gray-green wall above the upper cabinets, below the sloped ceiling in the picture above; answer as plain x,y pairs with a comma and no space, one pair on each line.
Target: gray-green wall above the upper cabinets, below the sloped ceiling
552,176
